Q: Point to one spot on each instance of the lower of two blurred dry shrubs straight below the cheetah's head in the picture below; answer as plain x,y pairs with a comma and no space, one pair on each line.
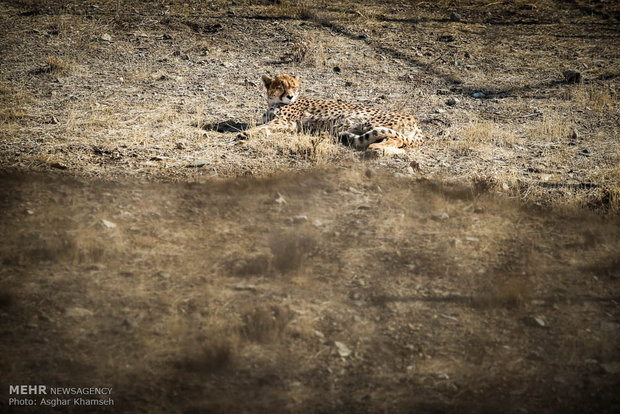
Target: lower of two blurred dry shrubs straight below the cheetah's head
266,323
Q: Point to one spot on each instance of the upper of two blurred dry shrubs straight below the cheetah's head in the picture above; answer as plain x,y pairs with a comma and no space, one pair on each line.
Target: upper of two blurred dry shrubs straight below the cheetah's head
289,251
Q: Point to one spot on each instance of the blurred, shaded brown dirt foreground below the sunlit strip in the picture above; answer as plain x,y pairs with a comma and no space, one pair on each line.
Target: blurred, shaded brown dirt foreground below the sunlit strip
320,292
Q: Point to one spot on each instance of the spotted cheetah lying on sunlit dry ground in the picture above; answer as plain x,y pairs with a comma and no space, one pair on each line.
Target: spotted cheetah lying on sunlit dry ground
363,127
